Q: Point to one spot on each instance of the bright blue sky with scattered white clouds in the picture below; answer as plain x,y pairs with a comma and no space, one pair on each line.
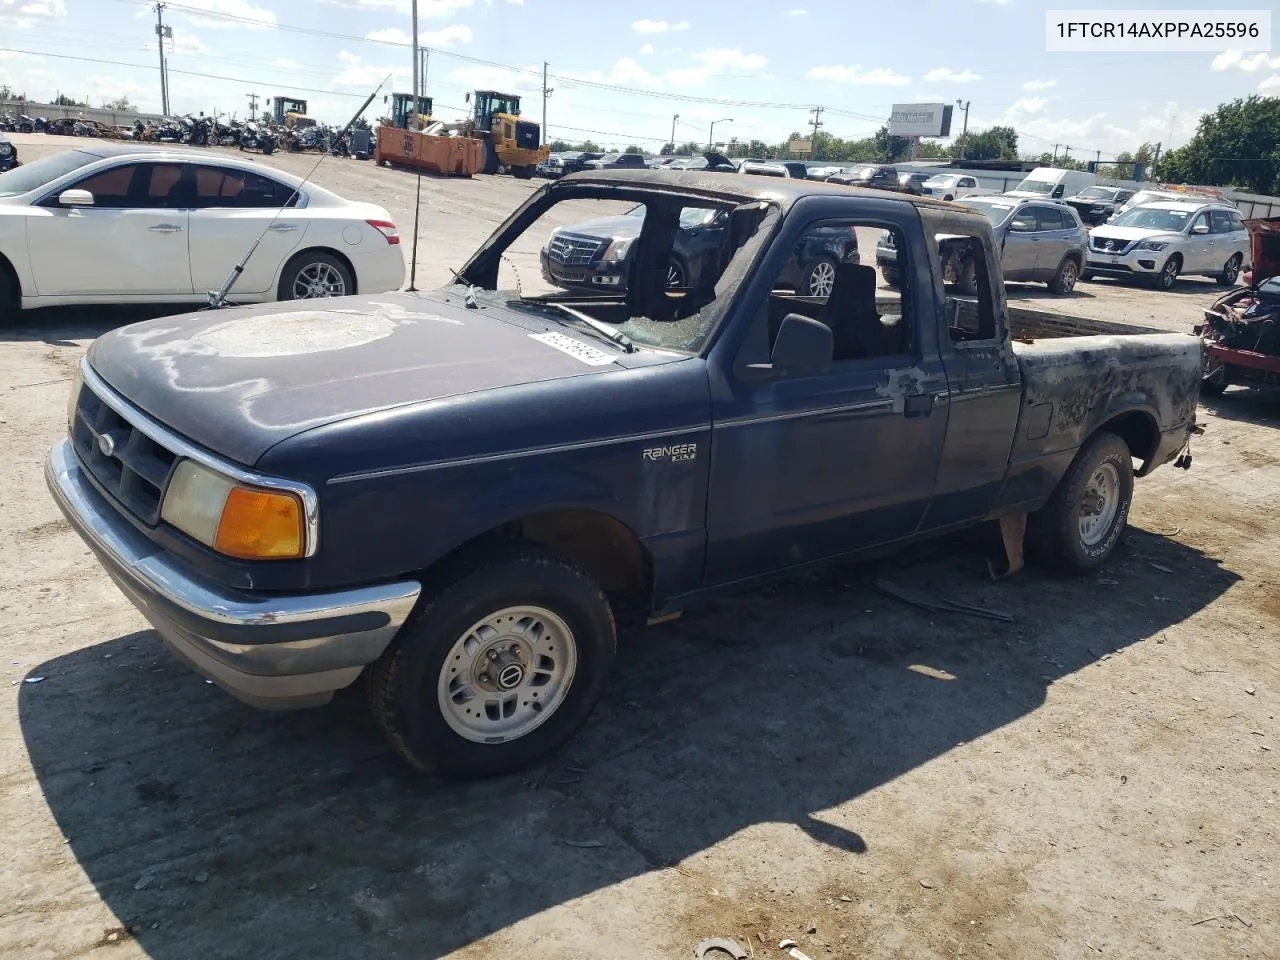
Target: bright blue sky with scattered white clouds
772,60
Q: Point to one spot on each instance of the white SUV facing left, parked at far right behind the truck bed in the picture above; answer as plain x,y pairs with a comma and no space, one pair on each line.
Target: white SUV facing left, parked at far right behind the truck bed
1162,241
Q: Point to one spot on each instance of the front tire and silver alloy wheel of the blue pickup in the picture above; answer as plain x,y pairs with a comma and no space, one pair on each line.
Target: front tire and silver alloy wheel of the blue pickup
524,597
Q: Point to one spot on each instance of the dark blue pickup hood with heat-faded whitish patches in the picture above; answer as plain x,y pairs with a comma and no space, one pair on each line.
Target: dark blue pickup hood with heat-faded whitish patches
241,381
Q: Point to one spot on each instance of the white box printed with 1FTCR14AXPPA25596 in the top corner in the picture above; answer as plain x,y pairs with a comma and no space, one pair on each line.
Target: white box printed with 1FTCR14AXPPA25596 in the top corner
1158,31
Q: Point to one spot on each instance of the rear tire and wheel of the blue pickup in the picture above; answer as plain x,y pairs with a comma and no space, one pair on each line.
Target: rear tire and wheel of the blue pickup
1067,536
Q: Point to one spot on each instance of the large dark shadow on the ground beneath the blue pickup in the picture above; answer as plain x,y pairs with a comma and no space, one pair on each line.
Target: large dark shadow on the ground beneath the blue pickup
213,830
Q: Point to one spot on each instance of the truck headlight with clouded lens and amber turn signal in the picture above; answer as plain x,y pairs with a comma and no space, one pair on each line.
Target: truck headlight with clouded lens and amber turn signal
237,520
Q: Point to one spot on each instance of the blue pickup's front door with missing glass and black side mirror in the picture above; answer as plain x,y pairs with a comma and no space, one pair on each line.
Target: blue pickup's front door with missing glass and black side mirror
806,468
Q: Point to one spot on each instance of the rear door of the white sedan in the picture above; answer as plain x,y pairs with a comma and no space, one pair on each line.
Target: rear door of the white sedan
232,209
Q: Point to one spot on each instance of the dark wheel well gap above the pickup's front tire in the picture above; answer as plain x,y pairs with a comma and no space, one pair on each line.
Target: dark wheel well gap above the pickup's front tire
604,546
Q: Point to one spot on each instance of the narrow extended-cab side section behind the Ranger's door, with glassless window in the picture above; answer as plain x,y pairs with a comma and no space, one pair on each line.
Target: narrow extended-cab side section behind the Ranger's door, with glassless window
985,388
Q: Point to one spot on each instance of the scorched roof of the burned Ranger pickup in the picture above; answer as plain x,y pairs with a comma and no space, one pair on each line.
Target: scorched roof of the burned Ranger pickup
747,188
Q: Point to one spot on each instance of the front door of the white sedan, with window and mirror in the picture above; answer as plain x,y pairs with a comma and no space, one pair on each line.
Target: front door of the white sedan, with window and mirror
130,244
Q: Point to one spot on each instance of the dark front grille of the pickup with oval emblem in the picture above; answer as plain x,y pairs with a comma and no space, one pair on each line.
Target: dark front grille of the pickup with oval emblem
126,463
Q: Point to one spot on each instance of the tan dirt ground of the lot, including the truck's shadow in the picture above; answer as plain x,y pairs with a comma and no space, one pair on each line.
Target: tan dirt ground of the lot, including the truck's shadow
815,761
